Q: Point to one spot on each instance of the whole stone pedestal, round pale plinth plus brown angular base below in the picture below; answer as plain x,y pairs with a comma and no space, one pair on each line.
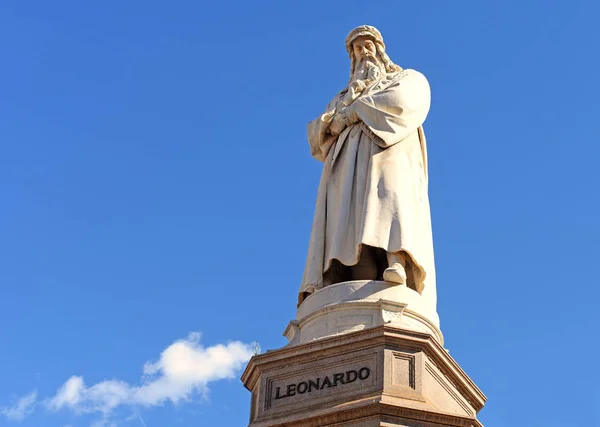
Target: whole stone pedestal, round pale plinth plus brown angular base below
359,357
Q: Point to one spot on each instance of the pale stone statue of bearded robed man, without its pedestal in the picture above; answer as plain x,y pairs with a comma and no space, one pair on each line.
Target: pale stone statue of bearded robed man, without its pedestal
372,218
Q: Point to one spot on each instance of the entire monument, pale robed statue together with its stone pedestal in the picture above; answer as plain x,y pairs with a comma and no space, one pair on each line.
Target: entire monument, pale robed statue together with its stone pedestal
366,338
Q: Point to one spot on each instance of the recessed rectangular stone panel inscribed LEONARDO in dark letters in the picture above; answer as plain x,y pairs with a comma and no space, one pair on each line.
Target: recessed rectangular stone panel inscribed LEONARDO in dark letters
306,385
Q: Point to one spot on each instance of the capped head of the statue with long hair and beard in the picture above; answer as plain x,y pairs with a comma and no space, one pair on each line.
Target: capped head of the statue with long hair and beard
365,43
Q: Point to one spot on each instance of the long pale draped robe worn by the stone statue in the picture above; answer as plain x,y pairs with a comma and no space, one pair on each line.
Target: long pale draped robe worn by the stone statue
373,188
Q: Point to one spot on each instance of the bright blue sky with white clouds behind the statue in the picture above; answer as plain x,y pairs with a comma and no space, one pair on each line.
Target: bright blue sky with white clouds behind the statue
157,193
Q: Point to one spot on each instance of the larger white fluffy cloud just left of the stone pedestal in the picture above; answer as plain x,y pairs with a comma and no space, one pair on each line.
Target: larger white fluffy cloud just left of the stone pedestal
184,368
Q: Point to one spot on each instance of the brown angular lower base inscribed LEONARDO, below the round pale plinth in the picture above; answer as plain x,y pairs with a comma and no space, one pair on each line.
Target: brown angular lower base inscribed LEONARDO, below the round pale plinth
380,376
